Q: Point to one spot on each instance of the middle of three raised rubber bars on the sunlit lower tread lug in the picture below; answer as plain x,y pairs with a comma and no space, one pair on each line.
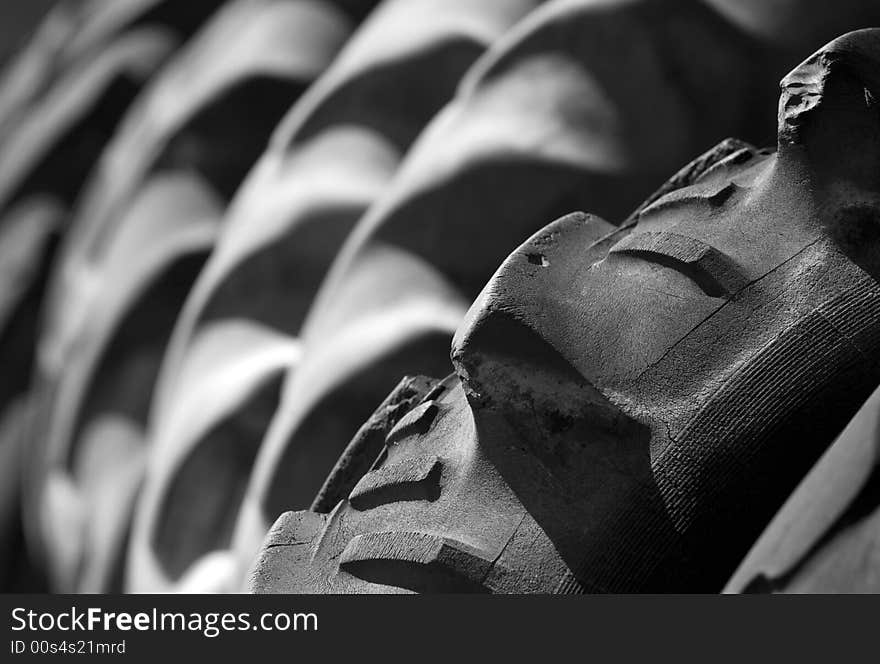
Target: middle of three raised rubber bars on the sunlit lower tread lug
411,479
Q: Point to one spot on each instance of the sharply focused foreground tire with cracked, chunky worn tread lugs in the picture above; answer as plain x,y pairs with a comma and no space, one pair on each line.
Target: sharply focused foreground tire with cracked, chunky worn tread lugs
632,405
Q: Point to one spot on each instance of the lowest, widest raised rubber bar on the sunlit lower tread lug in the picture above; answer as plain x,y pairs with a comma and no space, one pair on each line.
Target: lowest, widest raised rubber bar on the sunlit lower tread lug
416,561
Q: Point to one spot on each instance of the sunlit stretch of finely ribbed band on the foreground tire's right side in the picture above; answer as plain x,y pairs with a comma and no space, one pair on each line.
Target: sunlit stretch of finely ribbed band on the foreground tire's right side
787,375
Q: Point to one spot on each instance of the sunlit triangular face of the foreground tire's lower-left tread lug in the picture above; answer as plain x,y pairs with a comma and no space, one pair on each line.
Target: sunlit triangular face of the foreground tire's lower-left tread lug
412,525
